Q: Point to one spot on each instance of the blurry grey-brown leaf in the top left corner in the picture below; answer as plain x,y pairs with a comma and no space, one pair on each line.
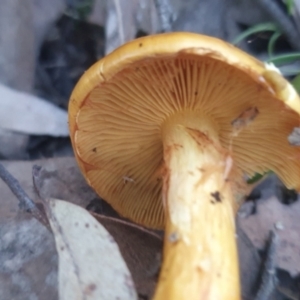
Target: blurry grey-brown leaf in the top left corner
17,45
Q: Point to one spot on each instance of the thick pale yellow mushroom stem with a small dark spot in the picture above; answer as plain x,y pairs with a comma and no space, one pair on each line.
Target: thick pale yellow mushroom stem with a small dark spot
200,254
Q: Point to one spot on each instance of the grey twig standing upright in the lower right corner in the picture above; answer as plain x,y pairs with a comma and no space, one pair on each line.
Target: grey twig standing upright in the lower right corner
269,273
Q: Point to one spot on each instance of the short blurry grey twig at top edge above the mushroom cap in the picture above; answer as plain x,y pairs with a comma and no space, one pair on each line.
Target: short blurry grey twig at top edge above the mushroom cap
165,13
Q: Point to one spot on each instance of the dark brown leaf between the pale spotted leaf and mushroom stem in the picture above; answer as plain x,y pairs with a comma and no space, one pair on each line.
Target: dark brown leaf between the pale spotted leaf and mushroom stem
140,248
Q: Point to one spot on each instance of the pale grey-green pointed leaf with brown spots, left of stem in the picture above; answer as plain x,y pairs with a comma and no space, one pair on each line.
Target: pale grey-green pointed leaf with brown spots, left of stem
90,264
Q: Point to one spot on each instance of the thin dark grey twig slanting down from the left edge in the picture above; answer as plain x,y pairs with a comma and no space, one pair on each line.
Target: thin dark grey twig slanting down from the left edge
25,203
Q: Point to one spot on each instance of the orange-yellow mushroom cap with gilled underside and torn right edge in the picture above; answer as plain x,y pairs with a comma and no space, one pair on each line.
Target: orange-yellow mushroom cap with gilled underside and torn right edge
119,105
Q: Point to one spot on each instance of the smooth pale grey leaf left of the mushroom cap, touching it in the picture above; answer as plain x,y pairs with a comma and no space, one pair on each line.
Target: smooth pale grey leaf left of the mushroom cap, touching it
29,114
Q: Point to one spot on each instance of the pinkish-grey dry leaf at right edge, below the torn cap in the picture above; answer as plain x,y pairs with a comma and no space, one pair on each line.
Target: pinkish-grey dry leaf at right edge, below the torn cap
272,214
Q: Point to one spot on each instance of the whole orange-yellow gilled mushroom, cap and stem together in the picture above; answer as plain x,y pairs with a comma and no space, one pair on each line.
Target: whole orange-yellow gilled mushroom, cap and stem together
167,128
